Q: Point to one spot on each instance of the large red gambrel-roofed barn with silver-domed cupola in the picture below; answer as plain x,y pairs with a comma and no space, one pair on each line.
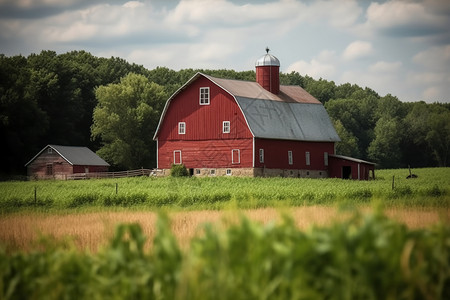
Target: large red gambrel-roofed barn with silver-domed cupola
218,126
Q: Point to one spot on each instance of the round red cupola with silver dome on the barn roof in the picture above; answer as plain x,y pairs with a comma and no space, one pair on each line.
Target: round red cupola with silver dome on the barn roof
268,72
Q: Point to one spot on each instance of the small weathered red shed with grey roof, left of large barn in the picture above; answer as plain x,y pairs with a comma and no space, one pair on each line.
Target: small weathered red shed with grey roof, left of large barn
57,162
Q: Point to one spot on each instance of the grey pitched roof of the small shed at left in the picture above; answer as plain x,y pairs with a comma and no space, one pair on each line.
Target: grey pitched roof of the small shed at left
75,155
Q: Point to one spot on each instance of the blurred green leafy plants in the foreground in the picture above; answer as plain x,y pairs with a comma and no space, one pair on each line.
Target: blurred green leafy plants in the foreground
367,257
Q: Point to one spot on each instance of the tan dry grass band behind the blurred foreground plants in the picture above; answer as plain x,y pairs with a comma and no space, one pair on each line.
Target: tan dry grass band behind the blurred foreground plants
92,230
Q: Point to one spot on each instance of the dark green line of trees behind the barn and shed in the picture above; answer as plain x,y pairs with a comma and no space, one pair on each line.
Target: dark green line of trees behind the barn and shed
113,107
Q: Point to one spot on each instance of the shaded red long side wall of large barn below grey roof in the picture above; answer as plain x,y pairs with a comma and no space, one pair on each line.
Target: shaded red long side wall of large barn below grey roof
276,154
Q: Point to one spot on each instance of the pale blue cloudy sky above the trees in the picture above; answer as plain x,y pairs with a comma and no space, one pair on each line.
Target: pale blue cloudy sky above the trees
397,47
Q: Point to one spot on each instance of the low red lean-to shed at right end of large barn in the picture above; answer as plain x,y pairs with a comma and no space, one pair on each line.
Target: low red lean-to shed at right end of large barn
350,168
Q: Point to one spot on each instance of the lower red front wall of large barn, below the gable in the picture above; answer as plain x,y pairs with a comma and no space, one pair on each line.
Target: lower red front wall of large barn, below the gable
205,154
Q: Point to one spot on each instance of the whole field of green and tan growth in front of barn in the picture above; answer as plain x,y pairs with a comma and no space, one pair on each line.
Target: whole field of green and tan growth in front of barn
225,237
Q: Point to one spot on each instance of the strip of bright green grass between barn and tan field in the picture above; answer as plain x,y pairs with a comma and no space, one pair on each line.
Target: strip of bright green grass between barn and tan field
430,189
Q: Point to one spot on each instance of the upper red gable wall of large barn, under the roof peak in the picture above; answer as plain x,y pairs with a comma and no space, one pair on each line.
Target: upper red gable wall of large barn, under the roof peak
203,122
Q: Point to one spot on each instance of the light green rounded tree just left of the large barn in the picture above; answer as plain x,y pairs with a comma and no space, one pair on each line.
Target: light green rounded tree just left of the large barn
125,120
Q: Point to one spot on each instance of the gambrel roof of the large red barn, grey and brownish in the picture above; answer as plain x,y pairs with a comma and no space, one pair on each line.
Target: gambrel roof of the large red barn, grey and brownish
293,114
